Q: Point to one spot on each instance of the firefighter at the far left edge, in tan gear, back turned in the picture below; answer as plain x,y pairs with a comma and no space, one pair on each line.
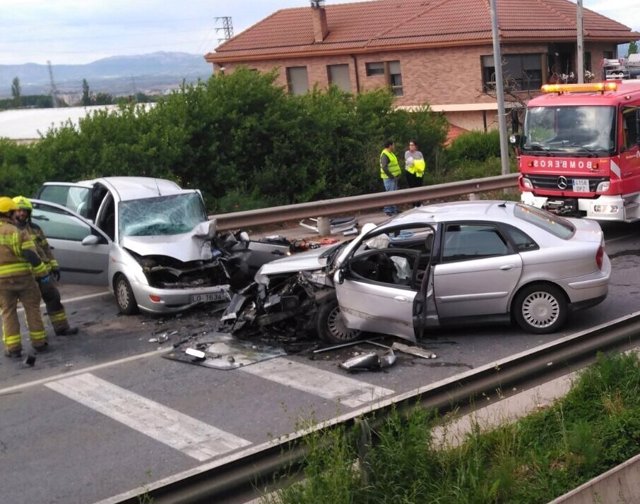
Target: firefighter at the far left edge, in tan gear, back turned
19,264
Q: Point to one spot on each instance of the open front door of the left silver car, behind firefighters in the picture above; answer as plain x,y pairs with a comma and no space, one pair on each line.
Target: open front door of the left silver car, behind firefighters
82,250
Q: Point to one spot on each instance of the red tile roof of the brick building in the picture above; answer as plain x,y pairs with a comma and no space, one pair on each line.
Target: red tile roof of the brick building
403,24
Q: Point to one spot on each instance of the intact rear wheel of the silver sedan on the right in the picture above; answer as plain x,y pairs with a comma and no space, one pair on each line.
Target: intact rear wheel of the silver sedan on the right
540,308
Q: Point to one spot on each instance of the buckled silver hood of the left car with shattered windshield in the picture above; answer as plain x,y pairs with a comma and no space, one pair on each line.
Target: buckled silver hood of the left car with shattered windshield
184,247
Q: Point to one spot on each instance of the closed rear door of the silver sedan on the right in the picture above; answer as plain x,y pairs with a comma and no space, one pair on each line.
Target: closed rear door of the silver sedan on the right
477,271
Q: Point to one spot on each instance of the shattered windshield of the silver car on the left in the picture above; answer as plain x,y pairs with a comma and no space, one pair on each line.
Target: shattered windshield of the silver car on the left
161,216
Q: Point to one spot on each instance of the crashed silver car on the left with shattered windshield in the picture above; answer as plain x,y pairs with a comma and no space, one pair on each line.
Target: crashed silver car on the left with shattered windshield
147,239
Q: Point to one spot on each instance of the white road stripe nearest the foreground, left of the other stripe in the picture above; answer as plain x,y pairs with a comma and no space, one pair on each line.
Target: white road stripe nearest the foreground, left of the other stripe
177,430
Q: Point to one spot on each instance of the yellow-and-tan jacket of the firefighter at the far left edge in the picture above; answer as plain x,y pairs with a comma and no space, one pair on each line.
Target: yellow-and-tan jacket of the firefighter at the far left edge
18,254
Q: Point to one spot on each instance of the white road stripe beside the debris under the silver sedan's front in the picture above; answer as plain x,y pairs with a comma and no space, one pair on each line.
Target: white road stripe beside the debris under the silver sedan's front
348,391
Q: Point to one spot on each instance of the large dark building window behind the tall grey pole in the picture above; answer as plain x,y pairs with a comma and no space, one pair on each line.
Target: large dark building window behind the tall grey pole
520,72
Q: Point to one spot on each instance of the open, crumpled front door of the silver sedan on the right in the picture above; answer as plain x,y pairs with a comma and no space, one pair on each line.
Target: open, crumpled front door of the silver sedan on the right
377,287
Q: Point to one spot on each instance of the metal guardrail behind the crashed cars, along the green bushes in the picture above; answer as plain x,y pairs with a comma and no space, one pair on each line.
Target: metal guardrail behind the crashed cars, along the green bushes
323,208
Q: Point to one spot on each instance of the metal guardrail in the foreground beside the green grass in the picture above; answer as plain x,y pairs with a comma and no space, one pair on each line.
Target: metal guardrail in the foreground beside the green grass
243,475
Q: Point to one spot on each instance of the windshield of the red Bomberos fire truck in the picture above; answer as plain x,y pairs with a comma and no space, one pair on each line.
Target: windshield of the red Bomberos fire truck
575,130
